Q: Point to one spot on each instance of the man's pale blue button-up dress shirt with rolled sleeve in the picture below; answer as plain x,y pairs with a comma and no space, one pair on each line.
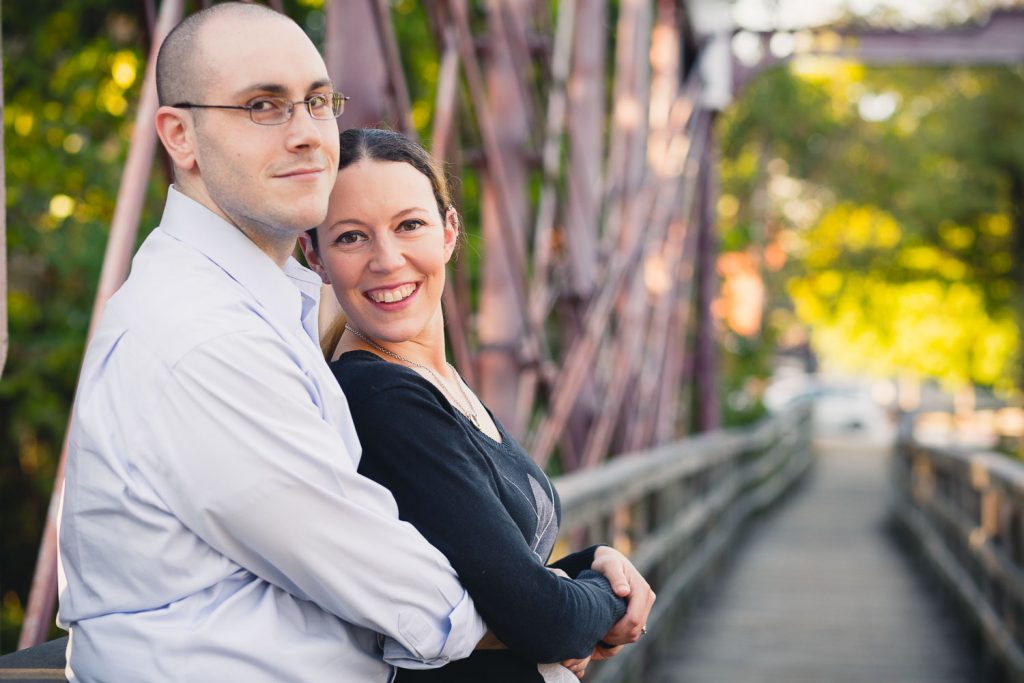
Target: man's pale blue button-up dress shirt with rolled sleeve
215,527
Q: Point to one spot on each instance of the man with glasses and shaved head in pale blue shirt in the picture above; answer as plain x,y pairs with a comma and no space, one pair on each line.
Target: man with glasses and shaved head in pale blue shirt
214,526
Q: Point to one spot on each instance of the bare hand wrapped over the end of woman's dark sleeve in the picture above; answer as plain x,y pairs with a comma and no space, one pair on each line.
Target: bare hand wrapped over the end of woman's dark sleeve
627,583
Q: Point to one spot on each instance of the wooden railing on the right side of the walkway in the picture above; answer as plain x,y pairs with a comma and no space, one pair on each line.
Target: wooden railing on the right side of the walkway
966,511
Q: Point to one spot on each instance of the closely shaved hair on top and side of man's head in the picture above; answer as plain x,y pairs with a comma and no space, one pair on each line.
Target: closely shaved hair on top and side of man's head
181,72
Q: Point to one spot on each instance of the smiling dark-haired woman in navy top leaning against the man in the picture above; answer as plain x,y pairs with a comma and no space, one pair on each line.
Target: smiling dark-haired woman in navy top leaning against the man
455,473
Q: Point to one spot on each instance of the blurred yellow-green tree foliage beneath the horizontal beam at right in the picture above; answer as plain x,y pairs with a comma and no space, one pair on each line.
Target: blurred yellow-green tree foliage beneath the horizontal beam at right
898,195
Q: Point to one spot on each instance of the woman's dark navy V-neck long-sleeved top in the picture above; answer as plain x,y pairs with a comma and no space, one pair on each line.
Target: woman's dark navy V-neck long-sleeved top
490,509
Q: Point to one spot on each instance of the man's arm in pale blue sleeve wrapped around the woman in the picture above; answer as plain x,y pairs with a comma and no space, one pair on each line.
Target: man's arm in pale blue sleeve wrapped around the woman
242,456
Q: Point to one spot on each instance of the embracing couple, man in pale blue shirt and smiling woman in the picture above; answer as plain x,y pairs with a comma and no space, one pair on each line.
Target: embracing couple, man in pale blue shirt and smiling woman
237,507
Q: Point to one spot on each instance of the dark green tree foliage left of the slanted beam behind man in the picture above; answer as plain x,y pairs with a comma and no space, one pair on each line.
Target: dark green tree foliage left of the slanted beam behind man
71,80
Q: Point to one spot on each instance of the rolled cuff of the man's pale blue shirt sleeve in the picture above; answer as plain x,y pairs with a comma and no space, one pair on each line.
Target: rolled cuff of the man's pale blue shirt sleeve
436,648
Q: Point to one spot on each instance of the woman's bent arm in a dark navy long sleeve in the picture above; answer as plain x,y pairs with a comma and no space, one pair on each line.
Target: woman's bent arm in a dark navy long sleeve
416,448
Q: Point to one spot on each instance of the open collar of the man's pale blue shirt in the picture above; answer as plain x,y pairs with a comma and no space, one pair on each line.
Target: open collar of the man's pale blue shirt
290,294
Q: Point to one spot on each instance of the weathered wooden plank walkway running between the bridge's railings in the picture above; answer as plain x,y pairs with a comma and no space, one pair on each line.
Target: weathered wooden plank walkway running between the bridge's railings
820,592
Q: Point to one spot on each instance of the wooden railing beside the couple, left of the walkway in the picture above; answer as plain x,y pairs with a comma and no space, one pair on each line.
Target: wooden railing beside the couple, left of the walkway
677,508
